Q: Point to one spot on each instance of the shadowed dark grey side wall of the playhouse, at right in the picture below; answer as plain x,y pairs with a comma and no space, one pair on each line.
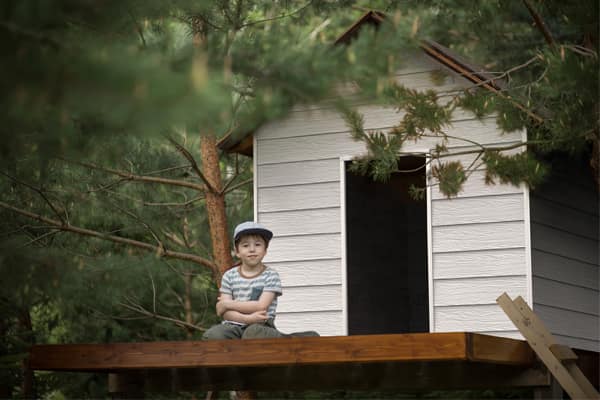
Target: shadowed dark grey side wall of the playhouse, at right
564,235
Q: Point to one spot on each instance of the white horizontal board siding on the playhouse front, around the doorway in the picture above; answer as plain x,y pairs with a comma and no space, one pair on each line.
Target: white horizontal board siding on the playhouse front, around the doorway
478,237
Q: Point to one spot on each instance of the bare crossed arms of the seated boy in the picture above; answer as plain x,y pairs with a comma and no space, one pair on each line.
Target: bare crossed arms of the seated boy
245,312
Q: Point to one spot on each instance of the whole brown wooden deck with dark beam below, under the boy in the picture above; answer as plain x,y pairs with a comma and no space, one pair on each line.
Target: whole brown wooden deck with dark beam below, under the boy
401,362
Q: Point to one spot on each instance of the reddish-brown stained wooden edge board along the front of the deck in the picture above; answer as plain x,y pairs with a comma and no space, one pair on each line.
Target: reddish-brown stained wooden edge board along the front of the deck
274,352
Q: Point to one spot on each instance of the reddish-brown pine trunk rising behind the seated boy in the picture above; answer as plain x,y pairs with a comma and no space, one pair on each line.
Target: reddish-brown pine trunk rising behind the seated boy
215,206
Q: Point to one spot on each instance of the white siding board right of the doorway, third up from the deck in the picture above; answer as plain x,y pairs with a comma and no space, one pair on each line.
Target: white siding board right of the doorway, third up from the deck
485,263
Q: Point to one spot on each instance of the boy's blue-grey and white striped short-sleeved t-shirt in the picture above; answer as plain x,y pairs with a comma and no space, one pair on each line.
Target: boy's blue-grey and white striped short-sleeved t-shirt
241,288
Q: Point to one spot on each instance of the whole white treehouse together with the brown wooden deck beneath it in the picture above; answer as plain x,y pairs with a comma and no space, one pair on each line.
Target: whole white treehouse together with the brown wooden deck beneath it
403,292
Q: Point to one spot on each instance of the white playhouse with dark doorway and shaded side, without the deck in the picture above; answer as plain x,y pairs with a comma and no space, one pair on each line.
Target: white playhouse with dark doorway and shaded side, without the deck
360,257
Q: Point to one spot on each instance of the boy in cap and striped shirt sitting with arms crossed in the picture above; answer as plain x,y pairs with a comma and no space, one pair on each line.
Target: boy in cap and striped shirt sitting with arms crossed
248,294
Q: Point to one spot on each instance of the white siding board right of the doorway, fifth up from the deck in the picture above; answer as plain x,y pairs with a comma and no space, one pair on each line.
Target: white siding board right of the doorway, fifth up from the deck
477,210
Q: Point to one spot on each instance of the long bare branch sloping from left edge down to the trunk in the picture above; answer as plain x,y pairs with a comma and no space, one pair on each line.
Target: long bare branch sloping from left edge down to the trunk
112,238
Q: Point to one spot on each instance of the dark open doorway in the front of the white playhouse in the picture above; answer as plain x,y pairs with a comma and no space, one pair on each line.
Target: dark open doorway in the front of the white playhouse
386,253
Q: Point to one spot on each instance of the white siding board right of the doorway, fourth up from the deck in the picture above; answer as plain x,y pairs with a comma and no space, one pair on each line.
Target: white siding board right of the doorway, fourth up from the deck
478,237
